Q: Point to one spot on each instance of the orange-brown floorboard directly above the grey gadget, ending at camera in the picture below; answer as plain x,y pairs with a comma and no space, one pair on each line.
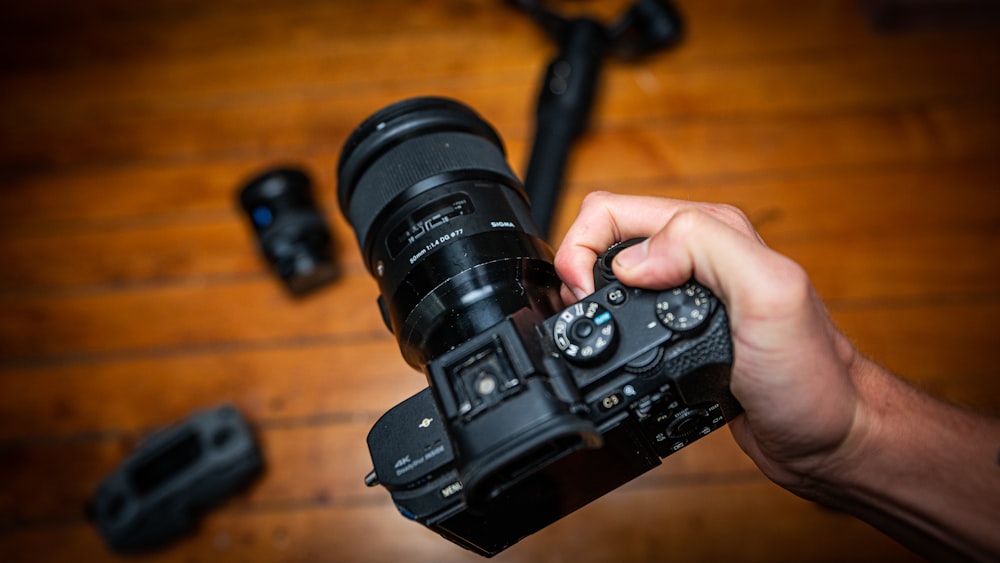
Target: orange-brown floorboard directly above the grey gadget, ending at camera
270,382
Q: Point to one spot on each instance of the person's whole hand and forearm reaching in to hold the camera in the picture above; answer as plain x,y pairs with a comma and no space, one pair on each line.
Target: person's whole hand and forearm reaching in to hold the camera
819,418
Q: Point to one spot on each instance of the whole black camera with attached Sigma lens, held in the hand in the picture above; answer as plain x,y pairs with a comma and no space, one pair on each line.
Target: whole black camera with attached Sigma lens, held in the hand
532,410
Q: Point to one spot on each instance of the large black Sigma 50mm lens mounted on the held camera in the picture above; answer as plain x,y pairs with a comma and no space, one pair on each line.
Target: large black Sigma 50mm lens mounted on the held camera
443,225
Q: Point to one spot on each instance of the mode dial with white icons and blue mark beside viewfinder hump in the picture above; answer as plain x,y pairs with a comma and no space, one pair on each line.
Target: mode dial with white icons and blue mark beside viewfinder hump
584,332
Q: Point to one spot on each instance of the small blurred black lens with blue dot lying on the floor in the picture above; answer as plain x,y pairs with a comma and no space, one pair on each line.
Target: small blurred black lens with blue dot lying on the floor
291,232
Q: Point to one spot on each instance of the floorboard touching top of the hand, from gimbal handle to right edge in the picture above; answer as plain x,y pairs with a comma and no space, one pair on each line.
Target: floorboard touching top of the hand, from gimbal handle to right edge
840,202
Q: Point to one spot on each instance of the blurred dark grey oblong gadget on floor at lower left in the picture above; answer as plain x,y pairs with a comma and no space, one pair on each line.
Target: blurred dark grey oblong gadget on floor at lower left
161,490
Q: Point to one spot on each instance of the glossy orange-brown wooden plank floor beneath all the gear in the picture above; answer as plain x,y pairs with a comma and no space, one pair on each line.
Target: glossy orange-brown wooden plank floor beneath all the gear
131,293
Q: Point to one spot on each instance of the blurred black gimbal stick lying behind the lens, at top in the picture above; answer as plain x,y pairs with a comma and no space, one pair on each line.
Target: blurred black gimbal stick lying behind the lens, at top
570,80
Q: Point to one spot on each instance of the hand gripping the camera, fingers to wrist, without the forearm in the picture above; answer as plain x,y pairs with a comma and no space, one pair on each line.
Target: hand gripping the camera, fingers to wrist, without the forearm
792,369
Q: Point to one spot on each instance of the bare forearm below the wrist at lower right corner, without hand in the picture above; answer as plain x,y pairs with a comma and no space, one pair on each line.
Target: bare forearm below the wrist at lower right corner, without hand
923,471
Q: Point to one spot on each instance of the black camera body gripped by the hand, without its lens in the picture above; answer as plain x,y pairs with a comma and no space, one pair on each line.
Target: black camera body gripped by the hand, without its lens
587,400
